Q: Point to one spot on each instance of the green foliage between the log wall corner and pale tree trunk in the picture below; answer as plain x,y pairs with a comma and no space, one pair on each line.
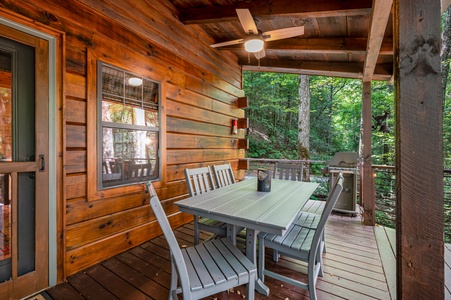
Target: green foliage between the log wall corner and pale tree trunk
272,114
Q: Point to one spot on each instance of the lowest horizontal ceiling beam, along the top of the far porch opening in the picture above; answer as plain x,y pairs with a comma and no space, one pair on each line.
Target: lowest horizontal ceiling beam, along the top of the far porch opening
317,68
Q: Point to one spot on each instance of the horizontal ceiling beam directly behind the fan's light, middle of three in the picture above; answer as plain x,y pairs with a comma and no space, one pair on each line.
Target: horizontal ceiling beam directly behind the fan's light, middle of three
322,45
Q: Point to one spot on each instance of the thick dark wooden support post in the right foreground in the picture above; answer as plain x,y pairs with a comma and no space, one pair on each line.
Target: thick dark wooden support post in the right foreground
419,153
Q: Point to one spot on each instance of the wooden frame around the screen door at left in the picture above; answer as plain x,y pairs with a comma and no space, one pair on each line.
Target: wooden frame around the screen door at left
55,92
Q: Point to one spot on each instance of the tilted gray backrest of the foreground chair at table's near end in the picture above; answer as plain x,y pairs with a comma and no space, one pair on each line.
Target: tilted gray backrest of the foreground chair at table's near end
169,235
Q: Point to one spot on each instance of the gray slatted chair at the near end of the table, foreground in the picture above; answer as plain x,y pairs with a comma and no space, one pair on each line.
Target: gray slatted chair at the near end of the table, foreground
206,269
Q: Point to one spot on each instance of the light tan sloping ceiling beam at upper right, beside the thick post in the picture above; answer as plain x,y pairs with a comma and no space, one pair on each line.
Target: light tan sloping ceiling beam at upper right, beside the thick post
379,19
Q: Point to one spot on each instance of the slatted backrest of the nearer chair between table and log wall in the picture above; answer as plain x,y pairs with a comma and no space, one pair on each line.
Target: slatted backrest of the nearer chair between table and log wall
199,181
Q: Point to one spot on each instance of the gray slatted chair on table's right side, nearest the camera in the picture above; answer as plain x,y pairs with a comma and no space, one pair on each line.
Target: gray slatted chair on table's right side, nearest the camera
302,241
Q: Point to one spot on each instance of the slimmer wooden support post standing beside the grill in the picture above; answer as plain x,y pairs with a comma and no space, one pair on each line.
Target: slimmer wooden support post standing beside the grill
367,188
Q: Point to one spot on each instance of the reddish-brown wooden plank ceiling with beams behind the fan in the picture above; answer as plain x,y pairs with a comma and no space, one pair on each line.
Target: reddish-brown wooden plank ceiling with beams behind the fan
349,39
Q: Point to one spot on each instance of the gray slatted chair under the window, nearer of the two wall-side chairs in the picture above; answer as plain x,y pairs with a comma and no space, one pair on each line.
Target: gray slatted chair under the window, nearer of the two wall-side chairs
200,181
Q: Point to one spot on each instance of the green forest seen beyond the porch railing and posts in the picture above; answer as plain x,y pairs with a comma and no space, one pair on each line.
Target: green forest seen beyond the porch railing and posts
335,120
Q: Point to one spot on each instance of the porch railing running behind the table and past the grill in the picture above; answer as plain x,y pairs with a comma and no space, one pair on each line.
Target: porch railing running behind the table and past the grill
384,184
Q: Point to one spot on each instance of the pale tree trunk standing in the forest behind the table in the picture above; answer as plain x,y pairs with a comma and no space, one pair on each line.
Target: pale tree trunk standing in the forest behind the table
304,122
